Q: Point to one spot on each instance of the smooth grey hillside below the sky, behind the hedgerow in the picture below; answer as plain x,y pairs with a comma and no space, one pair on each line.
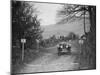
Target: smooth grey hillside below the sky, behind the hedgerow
63,29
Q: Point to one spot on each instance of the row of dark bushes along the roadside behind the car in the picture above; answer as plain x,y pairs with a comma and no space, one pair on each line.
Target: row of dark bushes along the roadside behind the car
54,40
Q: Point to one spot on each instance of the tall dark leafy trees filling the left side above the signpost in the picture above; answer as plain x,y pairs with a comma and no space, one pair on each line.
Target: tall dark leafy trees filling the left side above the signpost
24,22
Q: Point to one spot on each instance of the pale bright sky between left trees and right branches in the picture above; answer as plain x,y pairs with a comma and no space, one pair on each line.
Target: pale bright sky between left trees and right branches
47,13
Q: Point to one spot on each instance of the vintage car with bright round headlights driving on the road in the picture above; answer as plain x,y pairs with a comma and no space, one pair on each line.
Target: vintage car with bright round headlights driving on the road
64,48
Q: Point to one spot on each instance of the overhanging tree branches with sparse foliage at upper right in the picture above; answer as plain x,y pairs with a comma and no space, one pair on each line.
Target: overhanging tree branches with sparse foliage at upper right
68,12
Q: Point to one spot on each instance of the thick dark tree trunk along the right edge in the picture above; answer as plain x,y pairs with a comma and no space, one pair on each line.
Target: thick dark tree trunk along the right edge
92,36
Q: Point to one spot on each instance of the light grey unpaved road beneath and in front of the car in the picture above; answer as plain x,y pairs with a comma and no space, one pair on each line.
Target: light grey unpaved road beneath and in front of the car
50,61
